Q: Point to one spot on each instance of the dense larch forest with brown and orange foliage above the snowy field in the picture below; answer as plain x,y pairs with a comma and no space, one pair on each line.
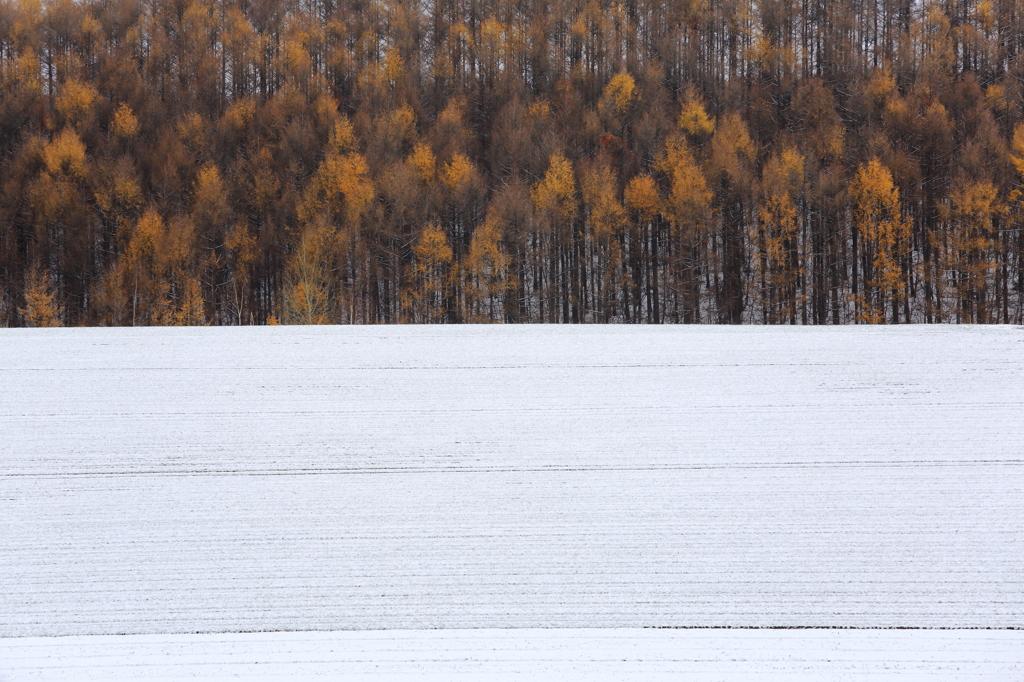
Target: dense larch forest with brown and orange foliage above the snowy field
233,162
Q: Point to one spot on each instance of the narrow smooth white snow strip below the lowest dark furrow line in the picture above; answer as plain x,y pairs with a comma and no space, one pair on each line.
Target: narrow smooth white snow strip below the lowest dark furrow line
496,656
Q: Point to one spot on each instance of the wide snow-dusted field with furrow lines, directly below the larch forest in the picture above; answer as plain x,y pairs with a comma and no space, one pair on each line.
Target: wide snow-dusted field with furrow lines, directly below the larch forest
183,481
